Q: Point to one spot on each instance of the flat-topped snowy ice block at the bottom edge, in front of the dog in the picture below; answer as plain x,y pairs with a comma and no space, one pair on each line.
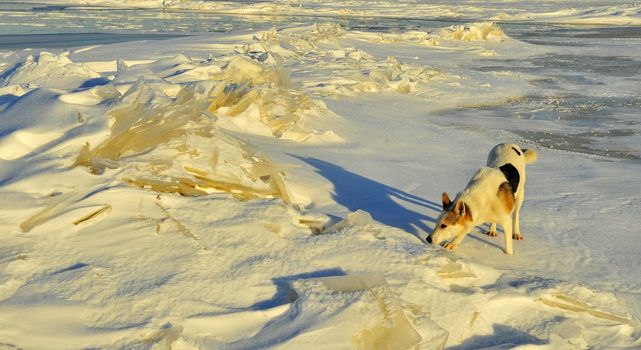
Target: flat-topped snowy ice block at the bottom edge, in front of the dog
359,309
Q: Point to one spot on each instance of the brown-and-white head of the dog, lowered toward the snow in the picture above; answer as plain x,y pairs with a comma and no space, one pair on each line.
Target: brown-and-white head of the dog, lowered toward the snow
455,220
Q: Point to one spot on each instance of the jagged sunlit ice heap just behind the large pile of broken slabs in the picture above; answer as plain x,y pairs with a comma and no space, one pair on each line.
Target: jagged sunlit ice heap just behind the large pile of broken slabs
248,92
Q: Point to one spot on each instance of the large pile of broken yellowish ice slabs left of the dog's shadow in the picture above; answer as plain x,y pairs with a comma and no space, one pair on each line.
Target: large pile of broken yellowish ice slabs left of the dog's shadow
172,146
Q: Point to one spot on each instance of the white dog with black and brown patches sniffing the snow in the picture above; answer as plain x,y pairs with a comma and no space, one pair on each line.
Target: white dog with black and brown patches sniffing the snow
494,194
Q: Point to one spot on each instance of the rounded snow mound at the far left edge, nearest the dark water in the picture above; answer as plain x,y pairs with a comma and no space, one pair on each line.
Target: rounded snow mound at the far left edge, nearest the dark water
47,69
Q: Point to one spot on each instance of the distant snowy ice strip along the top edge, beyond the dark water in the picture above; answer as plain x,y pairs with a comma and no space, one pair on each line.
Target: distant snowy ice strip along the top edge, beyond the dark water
564,11
